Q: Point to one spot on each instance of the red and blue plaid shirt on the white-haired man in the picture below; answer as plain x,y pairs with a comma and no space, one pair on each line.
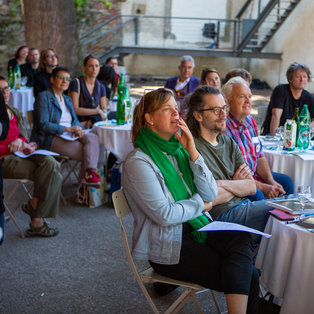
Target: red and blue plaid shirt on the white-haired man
243,134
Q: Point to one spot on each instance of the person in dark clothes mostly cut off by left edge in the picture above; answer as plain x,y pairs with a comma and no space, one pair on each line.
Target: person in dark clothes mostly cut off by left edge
4,127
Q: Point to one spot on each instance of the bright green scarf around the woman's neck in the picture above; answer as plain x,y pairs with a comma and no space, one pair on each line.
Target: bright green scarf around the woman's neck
155,147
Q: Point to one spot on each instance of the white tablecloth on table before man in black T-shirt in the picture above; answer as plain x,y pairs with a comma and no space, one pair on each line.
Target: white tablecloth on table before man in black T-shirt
299,170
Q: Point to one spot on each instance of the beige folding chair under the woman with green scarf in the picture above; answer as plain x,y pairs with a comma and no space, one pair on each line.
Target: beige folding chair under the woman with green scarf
122,209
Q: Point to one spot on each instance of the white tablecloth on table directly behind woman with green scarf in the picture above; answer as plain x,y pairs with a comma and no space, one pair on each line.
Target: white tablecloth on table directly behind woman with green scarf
115,138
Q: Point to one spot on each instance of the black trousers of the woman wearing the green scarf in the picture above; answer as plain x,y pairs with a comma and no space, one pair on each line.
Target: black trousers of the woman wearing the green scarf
224,263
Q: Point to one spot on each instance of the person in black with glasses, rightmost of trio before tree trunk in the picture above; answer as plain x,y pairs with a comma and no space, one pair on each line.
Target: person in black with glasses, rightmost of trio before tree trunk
47,62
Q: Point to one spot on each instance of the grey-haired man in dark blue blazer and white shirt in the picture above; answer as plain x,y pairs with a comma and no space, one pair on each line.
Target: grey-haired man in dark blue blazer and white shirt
185,83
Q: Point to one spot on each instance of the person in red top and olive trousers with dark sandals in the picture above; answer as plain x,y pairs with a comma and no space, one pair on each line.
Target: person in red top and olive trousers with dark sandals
44,171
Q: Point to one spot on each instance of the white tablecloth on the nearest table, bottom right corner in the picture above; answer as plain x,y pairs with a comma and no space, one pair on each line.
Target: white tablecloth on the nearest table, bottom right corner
286,261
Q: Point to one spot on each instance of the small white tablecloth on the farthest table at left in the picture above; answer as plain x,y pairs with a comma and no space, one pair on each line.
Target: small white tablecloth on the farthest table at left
22,99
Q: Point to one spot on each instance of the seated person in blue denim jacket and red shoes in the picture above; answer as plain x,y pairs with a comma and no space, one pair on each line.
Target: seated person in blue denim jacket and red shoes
54,115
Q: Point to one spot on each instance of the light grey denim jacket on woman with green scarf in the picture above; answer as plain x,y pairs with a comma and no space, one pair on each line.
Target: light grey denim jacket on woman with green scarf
158,219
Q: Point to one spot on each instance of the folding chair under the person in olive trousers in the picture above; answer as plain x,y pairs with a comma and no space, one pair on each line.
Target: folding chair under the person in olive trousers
18,183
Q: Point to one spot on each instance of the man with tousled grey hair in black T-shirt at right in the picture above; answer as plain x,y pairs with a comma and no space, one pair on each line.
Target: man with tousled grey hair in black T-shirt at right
286,98
